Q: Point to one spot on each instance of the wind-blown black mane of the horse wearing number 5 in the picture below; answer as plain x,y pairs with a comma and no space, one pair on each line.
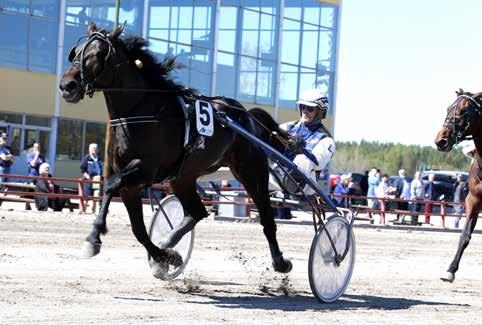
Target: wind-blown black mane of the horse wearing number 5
156,73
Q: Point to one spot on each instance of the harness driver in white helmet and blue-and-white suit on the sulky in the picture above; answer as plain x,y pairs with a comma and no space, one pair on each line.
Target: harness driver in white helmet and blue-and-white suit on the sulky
318,145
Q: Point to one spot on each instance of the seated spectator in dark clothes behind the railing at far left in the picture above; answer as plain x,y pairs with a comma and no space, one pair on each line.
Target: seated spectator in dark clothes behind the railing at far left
42,203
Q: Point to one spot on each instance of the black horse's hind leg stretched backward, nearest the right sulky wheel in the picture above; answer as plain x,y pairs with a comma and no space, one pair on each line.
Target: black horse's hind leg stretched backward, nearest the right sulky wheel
254,176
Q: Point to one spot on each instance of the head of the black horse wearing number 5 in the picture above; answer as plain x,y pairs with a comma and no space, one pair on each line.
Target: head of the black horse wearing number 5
92,64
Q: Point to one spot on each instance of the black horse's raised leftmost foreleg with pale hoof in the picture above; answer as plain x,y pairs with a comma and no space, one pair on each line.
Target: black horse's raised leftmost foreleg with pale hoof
93,243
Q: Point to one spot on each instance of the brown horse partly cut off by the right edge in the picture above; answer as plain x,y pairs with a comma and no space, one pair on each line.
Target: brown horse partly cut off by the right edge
464,120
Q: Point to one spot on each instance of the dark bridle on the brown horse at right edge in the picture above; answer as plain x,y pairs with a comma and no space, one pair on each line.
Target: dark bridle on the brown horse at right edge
473,110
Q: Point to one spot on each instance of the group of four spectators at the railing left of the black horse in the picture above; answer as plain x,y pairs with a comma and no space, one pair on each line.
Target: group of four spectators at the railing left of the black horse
37,165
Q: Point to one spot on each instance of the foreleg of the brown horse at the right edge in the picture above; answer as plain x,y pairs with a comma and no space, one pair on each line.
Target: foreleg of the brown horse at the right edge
472,208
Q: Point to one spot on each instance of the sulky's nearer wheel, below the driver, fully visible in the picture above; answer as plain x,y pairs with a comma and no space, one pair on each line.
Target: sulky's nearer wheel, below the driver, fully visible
328,277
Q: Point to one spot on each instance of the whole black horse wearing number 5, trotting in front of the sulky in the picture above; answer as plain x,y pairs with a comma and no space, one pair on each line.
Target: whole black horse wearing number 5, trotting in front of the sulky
147,139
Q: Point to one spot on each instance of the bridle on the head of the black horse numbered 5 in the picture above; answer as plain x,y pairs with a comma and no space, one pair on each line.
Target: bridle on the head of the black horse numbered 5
84,82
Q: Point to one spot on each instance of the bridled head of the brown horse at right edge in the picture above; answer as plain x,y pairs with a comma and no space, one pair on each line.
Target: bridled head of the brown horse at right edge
462,120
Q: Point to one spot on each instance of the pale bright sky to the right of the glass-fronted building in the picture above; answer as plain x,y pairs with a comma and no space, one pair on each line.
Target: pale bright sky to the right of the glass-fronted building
400,63
